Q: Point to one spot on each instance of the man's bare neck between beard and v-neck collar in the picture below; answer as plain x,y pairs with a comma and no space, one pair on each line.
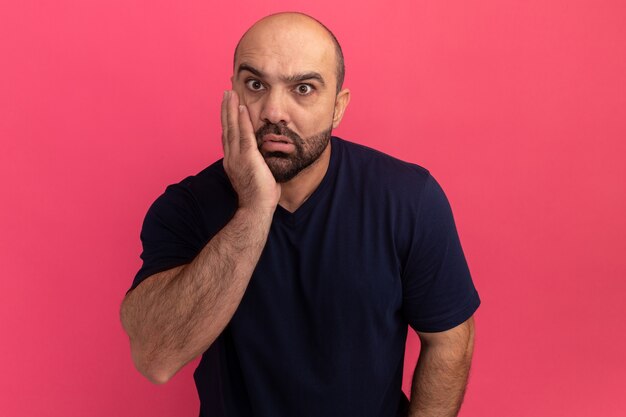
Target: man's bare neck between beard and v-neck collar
297,190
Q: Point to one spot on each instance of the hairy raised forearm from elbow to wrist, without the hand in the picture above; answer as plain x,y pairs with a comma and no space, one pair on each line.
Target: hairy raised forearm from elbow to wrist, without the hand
174,317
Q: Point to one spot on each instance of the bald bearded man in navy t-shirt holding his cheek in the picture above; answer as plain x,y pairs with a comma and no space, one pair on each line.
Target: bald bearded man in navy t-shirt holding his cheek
295,264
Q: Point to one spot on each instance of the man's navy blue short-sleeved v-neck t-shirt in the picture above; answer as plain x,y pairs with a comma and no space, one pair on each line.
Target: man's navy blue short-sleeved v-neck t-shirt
322,326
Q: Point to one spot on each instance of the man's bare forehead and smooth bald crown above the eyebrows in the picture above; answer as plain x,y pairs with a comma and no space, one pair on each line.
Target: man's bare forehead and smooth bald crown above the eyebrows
287,47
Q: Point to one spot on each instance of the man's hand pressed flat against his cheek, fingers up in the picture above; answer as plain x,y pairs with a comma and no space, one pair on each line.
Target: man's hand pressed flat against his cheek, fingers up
248,173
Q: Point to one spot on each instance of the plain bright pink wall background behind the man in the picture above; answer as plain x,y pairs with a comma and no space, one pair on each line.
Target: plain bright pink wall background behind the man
517,107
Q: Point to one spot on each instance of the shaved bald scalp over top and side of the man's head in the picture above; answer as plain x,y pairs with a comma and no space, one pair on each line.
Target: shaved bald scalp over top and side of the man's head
294,28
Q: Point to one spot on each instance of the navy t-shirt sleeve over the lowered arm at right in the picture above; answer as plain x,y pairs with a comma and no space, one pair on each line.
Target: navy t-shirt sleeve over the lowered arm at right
438,292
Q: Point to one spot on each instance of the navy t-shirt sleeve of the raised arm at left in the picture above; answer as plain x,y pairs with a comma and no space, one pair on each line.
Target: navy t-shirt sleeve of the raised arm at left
171,233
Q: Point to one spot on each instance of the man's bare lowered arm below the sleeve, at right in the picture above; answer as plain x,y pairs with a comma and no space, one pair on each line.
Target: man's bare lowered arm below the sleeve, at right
442,370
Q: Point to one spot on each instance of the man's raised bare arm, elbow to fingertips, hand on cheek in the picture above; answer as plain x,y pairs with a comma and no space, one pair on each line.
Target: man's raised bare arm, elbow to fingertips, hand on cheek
175,315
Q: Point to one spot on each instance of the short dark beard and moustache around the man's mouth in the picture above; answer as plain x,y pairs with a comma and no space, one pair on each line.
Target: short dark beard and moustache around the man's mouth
286,166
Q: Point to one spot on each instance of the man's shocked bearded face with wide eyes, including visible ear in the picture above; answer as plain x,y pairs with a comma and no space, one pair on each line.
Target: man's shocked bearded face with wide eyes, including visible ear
286,75
